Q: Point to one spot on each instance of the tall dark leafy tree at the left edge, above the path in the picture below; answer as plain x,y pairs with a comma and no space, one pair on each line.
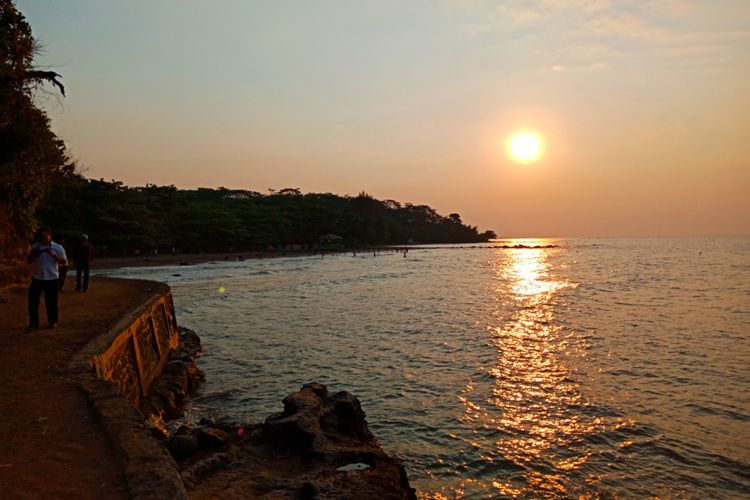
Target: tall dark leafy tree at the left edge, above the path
31,156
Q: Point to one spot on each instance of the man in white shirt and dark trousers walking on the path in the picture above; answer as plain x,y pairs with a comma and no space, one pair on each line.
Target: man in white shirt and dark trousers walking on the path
45,257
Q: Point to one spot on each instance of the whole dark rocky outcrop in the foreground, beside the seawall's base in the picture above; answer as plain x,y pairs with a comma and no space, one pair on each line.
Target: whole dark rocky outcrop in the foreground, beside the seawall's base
318,447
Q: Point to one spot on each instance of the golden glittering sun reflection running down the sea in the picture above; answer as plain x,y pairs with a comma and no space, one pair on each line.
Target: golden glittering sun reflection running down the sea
530,403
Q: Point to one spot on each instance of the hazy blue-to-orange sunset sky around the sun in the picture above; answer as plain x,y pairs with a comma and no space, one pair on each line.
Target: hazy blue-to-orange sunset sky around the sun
643,105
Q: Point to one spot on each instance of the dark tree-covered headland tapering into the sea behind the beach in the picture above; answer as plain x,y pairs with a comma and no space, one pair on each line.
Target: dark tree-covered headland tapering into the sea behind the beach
124,219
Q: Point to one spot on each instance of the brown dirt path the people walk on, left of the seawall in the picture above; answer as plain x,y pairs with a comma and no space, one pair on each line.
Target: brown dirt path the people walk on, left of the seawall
50,444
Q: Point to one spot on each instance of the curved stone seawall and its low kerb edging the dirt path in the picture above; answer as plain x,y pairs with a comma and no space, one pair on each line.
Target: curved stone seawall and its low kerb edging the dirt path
115,371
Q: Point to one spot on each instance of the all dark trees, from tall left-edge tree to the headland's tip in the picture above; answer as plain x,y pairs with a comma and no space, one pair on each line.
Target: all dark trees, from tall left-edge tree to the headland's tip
39,185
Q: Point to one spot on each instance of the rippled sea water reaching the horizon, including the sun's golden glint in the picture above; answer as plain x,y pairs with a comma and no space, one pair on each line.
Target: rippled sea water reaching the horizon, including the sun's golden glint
602,367
